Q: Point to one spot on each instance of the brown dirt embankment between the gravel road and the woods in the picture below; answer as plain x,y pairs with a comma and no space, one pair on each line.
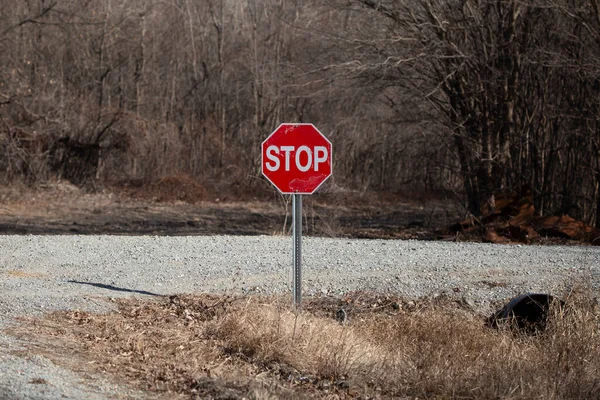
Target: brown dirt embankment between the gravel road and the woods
180,206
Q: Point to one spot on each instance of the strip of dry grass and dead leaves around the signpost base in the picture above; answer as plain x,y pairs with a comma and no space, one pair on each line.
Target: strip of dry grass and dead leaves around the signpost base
254,347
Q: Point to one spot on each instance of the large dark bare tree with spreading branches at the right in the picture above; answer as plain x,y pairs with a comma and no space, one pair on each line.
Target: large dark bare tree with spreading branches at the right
504,86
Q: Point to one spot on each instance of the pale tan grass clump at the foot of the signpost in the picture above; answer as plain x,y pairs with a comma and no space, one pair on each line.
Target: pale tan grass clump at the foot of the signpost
312,347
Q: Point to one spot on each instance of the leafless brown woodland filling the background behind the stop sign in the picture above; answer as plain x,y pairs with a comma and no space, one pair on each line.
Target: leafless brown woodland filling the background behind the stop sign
458,98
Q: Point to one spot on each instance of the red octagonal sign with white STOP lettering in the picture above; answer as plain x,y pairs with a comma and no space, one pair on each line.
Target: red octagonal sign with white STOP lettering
296,158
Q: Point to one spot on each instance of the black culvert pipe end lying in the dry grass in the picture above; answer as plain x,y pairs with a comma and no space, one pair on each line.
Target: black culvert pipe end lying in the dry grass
527,313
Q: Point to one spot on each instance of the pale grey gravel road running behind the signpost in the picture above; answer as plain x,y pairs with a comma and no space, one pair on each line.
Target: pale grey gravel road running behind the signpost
43,273
